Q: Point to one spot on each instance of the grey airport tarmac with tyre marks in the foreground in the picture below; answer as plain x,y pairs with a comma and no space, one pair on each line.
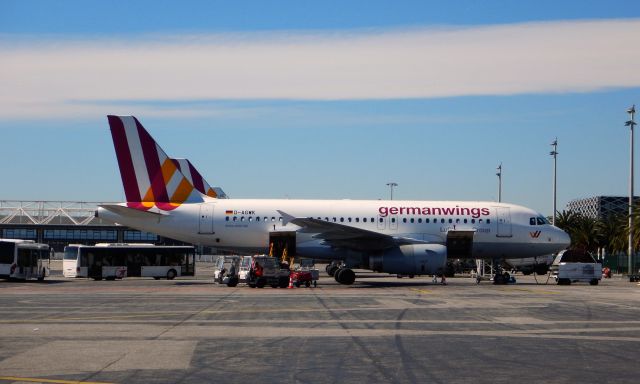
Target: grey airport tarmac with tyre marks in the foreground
379,330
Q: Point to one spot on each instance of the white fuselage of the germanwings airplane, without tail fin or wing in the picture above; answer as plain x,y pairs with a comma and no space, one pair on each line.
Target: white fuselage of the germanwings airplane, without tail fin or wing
244,225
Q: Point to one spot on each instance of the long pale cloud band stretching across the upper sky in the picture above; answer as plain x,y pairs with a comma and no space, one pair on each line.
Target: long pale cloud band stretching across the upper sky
63,78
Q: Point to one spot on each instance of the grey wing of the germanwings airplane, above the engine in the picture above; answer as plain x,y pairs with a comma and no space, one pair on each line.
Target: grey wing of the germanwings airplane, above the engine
344,236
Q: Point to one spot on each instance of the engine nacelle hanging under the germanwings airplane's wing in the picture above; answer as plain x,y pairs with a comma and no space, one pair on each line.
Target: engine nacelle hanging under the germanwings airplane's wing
415,259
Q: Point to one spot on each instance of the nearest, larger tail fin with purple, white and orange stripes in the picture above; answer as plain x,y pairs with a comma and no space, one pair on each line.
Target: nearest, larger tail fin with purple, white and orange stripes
150,178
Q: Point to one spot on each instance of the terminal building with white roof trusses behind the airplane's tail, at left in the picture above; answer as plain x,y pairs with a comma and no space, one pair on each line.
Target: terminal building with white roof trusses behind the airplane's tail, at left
59,223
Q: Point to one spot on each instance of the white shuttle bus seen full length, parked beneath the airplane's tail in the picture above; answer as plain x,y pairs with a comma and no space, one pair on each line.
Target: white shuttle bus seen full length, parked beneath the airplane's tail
115,261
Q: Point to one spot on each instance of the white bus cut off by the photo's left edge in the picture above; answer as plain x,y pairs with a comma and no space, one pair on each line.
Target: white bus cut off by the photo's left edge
24,259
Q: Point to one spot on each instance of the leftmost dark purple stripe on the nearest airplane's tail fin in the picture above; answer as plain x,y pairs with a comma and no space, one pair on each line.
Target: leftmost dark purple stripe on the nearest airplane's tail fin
125,163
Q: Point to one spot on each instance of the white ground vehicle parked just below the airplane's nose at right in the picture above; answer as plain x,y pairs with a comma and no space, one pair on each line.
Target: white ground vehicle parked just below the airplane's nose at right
572,266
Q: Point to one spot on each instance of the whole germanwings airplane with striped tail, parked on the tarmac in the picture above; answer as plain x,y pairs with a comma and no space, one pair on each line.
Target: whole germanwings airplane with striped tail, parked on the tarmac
392,236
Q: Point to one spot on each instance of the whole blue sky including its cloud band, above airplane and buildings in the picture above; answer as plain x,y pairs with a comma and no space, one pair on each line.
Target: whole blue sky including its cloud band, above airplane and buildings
323,99
